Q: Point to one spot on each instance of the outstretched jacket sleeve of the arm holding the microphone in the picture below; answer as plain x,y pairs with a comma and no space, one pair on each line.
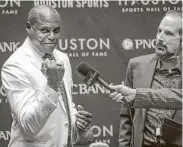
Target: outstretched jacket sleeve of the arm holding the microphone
166,98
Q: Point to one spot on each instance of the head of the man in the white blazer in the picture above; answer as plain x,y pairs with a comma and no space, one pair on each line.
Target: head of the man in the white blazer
43,27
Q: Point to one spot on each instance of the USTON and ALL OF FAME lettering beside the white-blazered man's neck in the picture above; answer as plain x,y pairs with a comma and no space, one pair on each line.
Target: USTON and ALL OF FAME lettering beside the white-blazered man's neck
85,47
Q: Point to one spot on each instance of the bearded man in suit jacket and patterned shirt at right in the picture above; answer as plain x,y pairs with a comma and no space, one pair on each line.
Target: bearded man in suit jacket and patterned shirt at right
155,71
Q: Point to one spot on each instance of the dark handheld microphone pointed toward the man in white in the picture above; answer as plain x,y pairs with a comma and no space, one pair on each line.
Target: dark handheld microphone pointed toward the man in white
92,76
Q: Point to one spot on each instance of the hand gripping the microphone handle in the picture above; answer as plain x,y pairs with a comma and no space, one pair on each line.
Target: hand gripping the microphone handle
122,91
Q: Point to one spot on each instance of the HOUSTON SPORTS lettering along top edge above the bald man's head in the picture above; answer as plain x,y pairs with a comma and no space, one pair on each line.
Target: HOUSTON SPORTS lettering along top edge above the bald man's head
73,3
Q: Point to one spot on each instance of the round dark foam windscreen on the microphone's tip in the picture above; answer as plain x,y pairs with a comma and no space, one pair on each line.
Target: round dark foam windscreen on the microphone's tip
84,68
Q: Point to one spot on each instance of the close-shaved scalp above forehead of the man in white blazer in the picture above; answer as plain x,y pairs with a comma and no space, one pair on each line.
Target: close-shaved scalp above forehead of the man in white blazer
40,11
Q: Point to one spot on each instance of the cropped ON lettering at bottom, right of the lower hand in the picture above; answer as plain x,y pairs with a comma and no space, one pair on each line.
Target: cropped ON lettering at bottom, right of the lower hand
103,133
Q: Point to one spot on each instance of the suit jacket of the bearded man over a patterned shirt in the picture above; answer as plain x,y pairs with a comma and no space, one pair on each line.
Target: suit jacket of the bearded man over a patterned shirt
139,74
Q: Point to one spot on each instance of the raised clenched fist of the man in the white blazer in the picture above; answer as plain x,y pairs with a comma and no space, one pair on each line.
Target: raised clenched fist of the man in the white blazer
54,72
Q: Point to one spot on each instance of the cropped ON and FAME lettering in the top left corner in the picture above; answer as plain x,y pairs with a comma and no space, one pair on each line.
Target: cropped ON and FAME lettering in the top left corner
9,7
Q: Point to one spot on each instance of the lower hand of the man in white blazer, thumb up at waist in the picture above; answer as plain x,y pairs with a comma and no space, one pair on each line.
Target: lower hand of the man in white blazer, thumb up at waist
83,118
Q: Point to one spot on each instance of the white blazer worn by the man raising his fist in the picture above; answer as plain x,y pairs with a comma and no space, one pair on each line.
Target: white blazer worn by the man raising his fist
37,120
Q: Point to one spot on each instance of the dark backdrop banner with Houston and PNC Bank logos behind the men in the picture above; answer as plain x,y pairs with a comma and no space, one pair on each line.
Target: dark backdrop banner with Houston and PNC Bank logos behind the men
105,34
